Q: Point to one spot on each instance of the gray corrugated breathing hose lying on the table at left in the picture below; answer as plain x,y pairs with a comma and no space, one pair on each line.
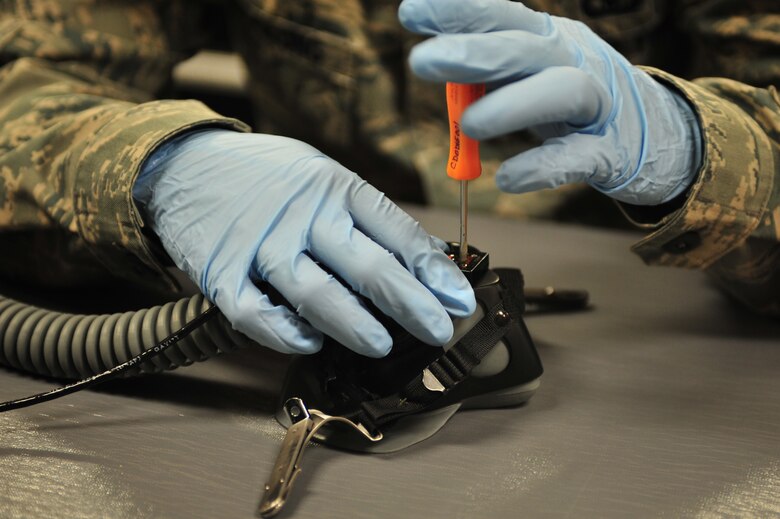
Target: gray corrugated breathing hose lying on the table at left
76,346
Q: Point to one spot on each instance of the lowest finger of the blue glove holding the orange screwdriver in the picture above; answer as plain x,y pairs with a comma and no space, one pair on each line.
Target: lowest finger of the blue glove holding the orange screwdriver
558,161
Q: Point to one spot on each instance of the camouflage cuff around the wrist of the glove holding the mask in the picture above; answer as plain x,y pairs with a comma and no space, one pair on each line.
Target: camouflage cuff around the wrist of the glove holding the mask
107,217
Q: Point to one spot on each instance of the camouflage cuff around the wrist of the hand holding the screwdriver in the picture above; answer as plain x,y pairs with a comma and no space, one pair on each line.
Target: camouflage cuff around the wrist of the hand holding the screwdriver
726,202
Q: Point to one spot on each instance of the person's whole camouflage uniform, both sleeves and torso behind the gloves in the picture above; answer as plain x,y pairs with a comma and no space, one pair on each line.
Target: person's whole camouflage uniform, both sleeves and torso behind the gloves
76,120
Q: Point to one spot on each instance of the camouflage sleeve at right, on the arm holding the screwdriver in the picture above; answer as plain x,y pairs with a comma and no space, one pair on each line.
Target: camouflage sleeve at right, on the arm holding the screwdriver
729,225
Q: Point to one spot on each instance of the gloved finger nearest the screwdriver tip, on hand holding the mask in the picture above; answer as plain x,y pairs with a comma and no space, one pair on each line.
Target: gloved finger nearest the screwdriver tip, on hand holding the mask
392,228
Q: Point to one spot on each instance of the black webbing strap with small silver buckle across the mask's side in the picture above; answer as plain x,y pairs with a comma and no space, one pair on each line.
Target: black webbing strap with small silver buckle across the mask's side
440,376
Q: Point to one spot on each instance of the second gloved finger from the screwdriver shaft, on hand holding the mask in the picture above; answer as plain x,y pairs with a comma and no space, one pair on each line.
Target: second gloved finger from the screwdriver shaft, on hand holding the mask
376,274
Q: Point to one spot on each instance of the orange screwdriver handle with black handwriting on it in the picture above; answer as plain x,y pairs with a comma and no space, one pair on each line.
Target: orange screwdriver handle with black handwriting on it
463,162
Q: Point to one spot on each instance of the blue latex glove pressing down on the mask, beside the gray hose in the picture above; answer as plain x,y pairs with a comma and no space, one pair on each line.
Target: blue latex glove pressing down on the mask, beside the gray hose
231,208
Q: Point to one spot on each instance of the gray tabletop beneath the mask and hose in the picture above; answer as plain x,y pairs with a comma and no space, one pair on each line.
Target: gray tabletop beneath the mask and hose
662,401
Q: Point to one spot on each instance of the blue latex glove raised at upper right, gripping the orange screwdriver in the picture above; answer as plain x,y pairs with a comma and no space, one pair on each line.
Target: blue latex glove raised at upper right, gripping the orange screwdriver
605,122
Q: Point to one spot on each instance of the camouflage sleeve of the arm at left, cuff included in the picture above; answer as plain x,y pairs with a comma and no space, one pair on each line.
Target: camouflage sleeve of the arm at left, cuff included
77,120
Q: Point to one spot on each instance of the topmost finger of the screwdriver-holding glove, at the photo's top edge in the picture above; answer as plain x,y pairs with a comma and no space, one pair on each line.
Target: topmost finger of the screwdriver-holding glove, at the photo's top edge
457,16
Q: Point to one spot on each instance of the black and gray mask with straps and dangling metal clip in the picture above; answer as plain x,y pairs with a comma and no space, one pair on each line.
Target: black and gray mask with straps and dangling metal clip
385,405
